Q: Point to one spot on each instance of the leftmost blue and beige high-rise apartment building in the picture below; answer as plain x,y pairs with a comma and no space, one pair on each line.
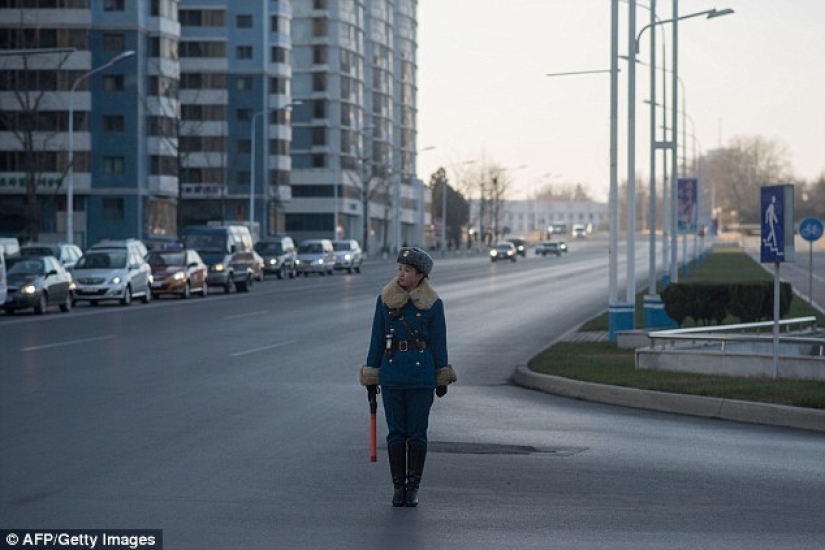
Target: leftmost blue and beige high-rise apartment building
77,161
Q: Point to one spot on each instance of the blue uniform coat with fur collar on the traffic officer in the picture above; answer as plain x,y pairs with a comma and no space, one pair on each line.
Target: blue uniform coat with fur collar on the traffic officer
423,310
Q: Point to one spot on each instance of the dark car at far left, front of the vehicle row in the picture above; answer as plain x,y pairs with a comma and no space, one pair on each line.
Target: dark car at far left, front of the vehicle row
37,282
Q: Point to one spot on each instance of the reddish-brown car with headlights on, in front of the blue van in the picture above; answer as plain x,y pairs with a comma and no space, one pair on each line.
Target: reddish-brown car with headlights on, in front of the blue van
180,272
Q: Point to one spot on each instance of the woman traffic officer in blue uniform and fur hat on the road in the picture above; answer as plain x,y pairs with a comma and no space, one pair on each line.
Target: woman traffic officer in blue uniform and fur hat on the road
407,358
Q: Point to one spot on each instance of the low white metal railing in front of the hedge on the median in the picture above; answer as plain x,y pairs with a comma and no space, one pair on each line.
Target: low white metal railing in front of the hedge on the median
739,333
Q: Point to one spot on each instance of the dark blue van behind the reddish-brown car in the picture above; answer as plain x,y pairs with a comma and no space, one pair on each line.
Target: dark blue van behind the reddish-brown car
227,251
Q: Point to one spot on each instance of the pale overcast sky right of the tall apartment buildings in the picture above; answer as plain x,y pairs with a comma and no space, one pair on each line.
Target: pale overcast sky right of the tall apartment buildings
483,89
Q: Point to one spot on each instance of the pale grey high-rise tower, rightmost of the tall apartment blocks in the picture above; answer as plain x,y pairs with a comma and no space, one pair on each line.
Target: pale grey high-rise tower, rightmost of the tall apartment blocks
354,134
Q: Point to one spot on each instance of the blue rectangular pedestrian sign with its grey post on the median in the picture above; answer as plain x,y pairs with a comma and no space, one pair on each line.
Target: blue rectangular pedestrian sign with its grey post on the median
776,244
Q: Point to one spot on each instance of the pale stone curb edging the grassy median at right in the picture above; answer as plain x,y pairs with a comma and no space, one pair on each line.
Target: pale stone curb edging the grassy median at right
692,405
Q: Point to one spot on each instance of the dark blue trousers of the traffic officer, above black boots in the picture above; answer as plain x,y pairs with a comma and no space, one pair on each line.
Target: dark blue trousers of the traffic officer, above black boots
408,415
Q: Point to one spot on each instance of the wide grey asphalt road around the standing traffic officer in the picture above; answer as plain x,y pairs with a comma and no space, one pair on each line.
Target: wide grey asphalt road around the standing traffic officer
237,422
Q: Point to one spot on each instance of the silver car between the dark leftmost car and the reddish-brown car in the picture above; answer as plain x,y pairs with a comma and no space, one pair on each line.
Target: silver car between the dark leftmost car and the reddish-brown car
112,274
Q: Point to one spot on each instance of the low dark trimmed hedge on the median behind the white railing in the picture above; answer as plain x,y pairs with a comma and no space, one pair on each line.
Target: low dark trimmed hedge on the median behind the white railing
708,303
